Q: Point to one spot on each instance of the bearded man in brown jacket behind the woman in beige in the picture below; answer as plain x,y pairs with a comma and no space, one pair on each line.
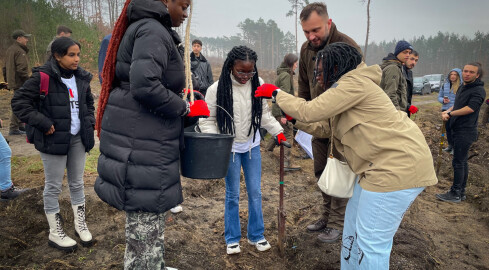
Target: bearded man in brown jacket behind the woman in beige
320,31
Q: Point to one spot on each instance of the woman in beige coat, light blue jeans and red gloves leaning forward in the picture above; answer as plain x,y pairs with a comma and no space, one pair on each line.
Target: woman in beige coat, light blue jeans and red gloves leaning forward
380,144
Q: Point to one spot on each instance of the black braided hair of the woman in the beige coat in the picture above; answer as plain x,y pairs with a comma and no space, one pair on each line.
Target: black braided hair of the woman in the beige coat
337,60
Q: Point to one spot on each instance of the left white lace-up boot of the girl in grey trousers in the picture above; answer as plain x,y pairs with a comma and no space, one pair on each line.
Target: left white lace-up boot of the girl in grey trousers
57,237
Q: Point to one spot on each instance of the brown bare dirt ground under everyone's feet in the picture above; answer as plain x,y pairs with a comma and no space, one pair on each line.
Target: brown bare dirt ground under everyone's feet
433,234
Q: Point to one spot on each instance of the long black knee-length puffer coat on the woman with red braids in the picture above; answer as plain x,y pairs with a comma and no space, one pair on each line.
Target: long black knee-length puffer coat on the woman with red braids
142,127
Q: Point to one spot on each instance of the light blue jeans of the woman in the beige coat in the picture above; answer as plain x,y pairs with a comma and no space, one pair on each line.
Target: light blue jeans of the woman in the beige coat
371,221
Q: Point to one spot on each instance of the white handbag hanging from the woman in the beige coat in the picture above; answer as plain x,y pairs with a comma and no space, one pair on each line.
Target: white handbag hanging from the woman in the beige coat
337,179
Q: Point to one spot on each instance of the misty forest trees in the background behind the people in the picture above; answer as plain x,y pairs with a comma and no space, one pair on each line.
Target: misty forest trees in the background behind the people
90,20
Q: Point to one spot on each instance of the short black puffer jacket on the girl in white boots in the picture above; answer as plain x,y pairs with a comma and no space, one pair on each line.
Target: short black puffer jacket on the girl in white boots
54,110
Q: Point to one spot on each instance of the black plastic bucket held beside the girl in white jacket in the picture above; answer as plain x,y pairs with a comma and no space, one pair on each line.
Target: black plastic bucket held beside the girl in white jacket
206,155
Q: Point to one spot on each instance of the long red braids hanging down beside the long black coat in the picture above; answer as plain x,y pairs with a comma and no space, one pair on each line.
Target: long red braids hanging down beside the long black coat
108,72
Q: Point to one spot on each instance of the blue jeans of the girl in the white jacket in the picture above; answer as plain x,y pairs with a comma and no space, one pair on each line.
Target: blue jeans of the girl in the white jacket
251,163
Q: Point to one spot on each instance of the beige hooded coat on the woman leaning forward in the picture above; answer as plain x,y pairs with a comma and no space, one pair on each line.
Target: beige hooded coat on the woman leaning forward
380,143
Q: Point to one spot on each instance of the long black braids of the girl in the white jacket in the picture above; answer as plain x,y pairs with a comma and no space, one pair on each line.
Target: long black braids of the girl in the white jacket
225,92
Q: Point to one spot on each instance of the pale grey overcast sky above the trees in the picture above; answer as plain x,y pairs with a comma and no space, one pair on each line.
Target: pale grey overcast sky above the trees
390,19
